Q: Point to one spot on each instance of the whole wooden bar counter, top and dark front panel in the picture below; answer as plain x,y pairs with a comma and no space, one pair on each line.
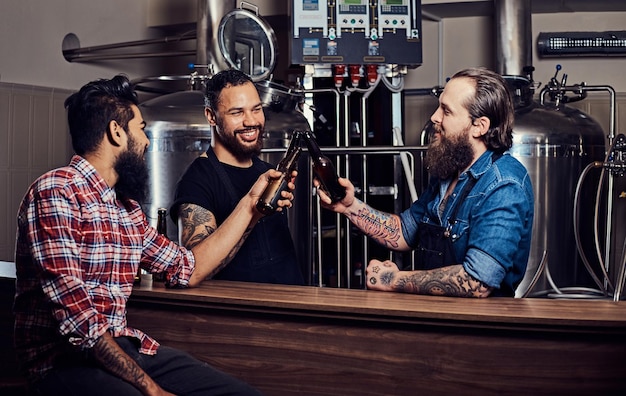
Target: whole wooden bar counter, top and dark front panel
296,340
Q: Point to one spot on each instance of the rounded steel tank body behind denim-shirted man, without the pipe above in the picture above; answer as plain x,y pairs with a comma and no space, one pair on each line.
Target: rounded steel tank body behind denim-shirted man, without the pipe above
556,144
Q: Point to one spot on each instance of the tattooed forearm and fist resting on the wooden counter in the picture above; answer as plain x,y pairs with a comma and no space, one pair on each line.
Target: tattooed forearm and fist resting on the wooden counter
452,281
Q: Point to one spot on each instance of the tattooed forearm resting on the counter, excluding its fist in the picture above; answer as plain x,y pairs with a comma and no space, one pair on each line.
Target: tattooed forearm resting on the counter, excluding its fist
451,281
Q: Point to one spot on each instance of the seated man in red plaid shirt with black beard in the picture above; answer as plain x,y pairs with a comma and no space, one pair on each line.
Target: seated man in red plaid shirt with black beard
81,238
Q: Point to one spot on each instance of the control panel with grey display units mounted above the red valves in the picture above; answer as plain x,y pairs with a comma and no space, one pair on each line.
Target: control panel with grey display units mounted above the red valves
356,32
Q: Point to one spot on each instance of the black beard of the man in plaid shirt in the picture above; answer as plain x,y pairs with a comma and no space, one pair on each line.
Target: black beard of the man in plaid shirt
132,175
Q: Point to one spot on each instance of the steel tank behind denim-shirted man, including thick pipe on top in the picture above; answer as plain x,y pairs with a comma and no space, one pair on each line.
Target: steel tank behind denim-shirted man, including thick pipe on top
555,143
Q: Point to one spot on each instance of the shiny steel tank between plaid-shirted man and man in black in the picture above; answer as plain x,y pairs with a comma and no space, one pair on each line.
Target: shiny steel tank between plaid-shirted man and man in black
178,133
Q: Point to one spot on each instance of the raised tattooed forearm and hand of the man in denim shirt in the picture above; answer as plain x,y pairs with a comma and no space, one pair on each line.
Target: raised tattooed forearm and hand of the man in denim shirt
384,228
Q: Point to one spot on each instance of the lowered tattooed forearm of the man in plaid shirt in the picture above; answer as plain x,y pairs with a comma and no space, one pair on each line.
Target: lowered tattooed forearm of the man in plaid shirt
117,362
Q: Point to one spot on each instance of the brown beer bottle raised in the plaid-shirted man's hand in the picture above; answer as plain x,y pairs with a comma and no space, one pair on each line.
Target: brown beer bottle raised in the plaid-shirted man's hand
268,203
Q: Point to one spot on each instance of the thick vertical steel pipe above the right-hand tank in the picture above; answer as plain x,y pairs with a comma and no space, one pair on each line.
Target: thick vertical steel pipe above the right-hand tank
513,32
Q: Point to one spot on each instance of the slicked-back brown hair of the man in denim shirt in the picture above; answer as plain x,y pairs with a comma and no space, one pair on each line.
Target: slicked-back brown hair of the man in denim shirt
493,100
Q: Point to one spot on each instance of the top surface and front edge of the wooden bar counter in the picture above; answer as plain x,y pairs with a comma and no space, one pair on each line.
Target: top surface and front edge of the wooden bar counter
604,316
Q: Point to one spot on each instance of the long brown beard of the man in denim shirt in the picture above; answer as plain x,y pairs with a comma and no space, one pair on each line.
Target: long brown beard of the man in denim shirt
447,157
